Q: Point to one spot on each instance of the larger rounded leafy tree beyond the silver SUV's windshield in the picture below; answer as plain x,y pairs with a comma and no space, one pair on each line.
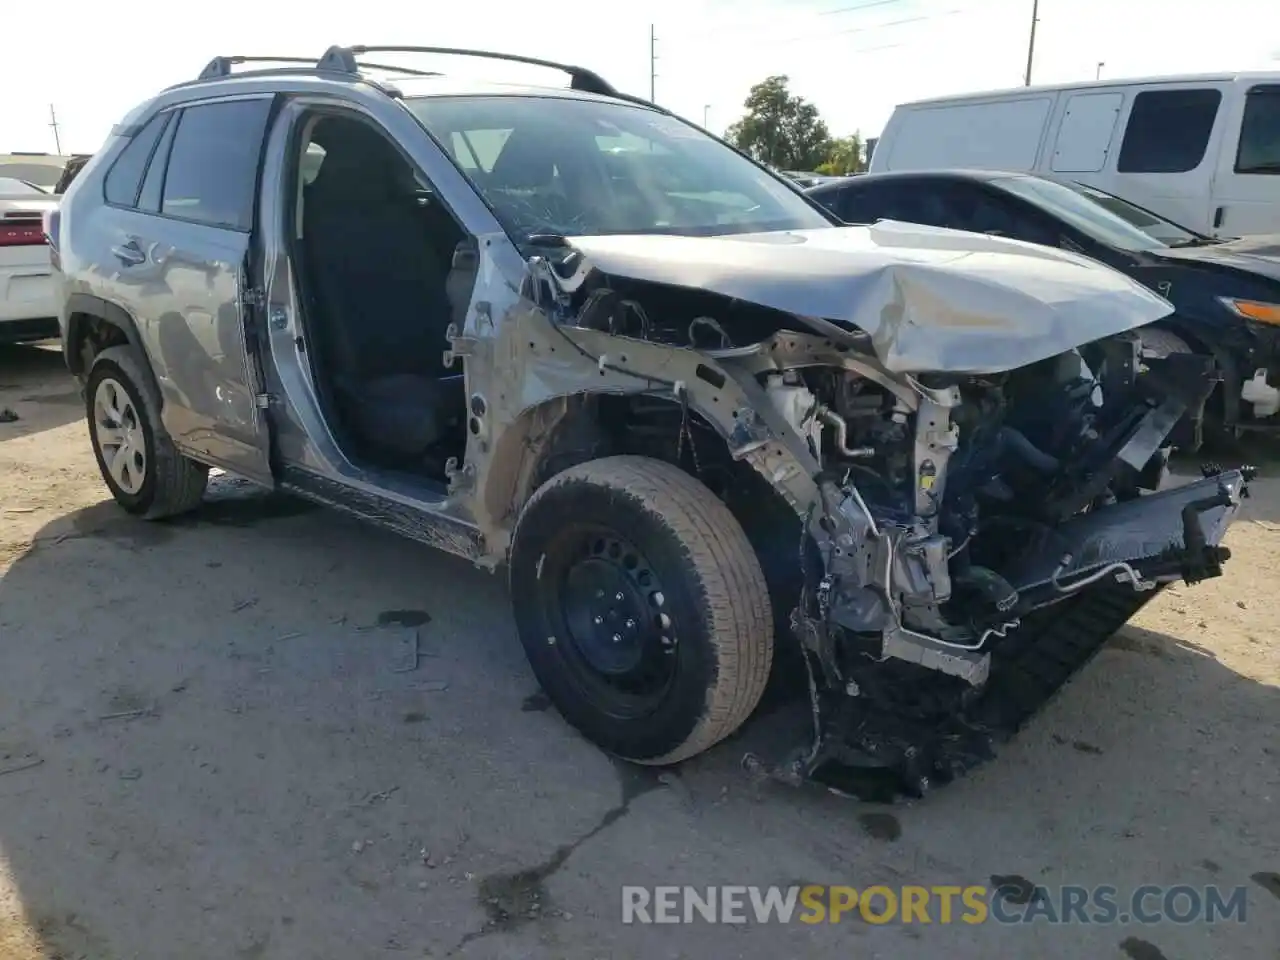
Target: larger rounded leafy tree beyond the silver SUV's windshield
780,130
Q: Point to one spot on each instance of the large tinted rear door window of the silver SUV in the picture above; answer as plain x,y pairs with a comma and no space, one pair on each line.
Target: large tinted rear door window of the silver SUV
213,164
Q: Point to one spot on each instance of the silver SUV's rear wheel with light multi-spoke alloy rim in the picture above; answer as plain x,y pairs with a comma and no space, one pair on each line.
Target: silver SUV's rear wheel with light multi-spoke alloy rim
143,469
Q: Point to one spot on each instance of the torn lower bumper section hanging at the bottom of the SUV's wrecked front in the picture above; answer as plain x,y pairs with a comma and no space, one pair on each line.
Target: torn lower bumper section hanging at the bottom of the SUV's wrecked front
1121,557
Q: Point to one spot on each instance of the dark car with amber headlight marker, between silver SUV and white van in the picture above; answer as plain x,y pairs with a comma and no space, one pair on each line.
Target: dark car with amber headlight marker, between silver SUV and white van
1226,294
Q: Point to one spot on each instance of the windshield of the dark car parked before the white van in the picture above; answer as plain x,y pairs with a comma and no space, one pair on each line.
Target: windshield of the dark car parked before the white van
1101,216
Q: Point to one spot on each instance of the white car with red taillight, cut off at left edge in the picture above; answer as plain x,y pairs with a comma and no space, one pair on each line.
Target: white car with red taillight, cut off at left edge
28,308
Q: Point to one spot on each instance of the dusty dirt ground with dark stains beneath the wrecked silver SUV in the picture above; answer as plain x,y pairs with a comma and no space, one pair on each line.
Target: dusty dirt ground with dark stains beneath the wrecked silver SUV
214,743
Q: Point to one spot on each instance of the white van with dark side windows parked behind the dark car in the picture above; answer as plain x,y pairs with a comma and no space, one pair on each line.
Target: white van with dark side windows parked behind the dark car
1203,150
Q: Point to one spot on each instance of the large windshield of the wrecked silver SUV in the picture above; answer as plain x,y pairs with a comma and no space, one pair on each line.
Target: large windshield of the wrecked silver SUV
557,166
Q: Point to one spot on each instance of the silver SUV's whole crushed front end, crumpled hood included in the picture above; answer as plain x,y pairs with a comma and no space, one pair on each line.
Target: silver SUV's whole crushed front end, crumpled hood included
973,441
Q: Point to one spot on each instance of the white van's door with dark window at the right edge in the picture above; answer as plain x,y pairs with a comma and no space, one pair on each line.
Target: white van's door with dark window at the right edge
1247,188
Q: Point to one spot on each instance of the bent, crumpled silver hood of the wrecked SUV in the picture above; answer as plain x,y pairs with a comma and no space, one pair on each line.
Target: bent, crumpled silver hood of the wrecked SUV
931,299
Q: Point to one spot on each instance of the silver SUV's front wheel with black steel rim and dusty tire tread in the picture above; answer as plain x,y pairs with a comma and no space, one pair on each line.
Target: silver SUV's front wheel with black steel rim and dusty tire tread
642,607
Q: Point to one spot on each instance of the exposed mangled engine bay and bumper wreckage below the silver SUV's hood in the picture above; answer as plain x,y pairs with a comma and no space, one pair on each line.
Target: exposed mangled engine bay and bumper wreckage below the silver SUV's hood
977,540
